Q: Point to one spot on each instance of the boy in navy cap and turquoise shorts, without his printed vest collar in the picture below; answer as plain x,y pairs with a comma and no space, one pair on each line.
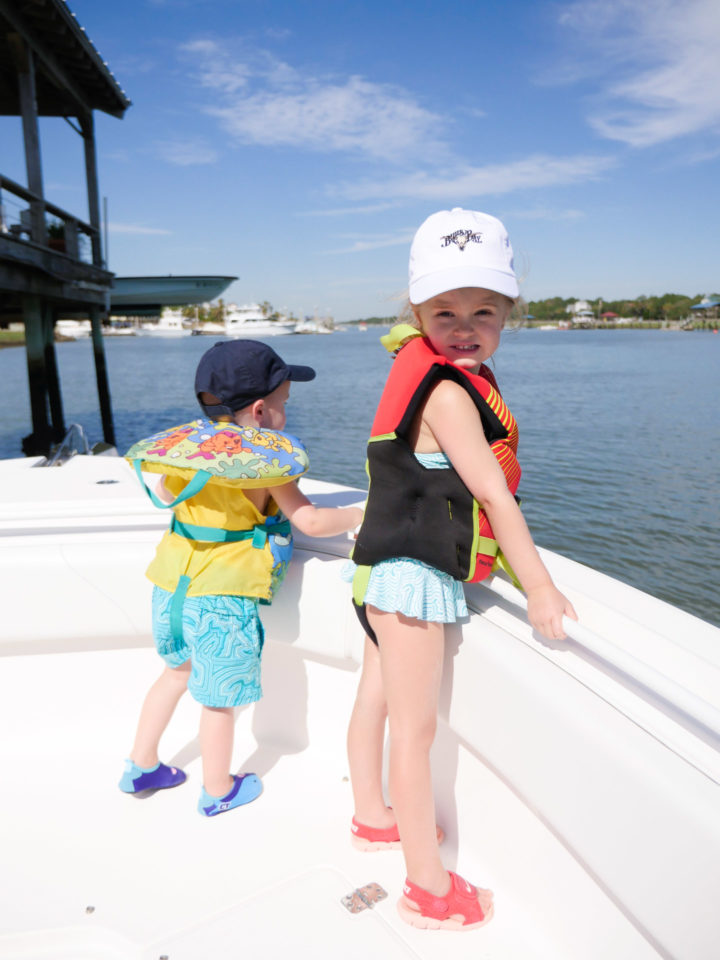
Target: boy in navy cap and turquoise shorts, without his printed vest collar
218,656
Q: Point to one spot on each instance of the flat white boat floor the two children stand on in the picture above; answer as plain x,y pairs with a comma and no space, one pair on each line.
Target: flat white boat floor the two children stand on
99,874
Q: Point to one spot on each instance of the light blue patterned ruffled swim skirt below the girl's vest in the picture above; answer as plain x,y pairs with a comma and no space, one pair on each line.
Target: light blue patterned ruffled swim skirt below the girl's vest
413,588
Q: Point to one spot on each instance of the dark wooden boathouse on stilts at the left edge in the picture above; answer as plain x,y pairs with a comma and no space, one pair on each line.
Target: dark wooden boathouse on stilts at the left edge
51,259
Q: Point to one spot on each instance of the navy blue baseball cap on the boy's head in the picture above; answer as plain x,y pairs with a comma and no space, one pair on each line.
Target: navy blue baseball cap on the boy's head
238,372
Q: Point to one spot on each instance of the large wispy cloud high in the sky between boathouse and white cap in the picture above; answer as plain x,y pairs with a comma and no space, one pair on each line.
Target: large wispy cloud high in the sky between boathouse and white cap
265,101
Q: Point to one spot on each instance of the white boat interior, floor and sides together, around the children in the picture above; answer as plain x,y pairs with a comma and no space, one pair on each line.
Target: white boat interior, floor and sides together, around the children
590,811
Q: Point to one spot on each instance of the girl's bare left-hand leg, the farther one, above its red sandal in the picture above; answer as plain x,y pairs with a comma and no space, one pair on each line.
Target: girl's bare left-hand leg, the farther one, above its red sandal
365,741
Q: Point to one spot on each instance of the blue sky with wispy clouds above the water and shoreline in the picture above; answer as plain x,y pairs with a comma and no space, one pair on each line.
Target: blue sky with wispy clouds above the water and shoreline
299,145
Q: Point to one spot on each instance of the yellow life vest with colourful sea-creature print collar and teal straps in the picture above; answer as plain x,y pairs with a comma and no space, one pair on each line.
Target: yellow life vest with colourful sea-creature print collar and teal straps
214,461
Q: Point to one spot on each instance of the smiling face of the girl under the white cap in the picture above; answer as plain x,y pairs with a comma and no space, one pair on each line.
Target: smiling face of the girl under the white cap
464,325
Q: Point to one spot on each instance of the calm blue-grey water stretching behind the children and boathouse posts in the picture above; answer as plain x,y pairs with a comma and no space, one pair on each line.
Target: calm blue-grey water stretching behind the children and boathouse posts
619,433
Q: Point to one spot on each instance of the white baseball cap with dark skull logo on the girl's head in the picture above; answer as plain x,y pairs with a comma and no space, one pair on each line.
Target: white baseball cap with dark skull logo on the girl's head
461,248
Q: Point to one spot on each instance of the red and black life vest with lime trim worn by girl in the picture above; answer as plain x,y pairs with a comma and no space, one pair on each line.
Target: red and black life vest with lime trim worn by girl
426,514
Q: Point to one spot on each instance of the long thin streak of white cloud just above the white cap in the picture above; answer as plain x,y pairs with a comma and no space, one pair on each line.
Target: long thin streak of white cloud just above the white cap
468,183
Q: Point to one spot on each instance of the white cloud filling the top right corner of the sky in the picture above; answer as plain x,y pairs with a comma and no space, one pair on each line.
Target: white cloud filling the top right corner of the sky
662,56
